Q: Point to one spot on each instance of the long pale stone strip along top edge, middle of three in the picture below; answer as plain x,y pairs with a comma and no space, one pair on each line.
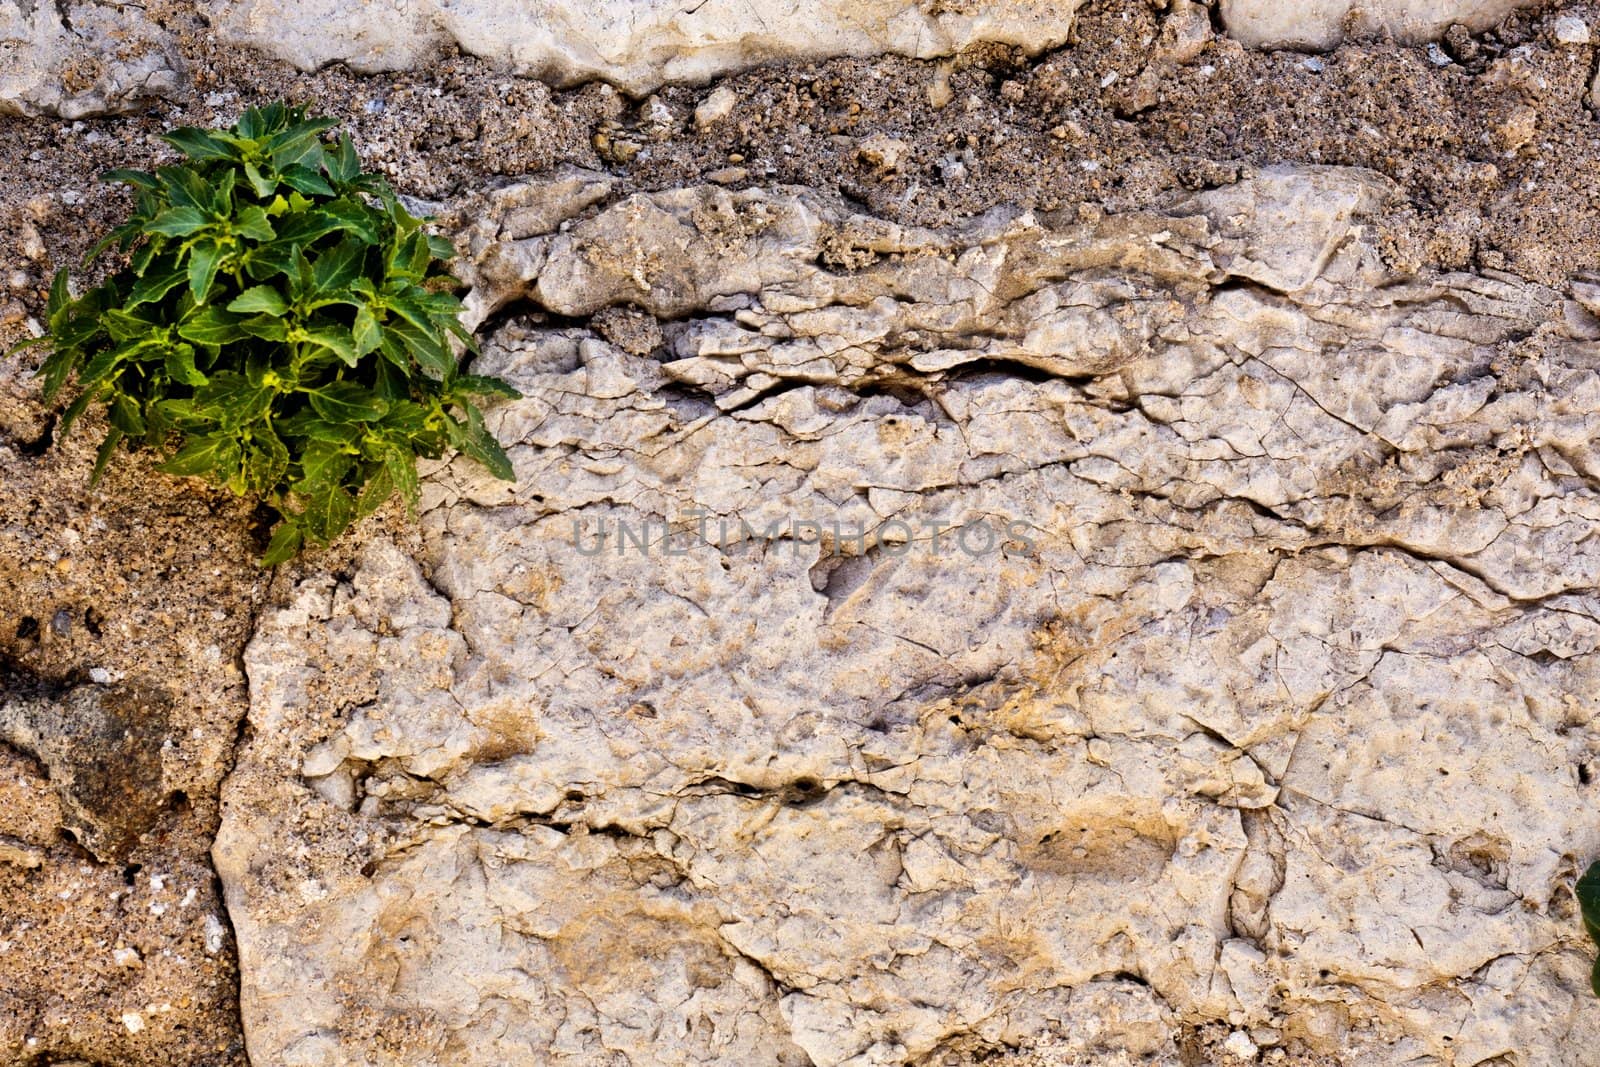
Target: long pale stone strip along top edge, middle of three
633,44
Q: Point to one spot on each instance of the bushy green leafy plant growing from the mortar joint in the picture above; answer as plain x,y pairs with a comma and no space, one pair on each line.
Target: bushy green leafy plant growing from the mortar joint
282,327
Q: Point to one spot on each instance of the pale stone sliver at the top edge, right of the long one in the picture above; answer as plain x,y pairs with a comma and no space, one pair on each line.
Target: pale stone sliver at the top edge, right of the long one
1326,23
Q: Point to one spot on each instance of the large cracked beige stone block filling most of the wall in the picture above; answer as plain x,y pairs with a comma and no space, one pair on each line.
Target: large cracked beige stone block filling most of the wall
1252,677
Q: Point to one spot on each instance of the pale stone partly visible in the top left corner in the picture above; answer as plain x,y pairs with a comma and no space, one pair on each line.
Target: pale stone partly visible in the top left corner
81,60
